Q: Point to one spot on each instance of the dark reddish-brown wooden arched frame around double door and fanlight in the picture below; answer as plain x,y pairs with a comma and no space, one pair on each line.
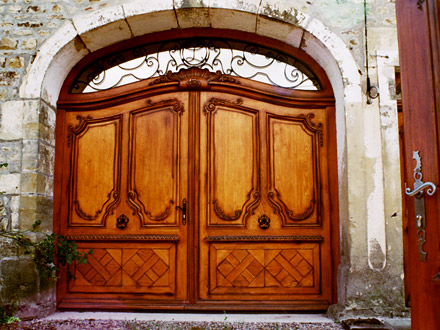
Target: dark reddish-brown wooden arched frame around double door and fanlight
323,98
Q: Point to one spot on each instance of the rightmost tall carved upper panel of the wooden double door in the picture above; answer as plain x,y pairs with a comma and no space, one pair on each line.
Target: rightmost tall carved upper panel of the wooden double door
293,145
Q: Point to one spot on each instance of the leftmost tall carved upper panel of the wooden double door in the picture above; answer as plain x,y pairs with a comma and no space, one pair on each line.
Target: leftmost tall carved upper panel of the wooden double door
95,180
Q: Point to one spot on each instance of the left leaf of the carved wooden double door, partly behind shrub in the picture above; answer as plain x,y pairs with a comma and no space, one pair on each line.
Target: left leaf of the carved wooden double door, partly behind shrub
127,172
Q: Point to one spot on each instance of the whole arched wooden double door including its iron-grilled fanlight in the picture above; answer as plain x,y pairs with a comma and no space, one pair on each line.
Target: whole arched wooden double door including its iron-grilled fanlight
198,187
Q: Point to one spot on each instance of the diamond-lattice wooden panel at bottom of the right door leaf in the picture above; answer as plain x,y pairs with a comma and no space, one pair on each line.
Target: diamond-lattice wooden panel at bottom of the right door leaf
288,268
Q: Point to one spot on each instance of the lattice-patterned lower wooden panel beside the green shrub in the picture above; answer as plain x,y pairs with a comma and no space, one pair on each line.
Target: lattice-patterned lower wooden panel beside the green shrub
127,270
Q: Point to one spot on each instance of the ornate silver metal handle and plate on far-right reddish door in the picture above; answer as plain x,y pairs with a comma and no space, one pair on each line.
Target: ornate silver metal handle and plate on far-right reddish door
419,202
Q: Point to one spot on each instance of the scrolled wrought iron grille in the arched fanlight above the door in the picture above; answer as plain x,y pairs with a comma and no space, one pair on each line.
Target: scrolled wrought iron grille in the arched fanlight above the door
229,57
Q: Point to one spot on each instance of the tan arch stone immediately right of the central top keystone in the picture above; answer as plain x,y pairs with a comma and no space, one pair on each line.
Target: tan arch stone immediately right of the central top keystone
237,20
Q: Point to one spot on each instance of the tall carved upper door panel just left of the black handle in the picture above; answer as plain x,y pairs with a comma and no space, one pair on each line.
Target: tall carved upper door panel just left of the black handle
154,187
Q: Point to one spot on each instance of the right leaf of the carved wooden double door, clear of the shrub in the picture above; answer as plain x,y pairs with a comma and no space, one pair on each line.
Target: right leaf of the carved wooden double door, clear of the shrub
264,227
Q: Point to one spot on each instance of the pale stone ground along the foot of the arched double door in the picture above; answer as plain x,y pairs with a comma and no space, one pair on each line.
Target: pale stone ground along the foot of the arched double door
181,321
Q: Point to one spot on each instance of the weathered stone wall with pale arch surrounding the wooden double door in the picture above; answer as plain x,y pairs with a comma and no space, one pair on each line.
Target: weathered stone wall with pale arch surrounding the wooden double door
41,40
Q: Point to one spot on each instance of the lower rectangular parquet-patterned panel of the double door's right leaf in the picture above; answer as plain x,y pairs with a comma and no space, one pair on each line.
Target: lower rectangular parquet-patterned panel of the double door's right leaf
260,268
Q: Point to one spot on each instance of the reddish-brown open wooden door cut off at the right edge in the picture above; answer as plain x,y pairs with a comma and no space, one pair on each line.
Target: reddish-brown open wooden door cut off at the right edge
418,29
